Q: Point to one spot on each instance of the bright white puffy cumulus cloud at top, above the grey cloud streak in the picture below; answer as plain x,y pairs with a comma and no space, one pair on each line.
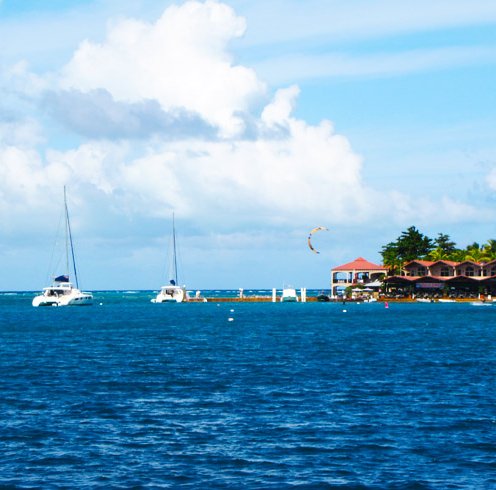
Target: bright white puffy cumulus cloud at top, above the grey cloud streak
181,60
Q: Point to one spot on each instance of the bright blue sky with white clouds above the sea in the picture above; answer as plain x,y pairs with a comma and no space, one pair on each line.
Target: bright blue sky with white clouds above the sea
253,121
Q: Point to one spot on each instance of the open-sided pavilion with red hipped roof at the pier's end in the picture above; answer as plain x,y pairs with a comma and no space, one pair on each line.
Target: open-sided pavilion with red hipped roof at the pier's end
357,273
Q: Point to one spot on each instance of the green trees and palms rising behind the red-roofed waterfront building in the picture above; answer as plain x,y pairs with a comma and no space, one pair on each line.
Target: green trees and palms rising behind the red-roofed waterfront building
414,245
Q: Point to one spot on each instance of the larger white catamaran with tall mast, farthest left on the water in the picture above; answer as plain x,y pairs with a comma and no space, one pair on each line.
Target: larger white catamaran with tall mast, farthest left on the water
62,292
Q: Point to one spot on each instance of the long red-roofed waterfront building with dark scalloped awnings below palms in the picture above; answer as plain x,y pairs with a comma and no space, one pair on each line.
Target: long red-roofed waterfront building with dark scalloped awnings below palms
445,276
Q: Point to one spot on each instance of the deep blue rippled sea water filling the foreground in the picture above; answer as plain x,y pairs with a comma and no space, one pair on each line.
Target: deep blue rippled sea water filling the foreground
128,394
